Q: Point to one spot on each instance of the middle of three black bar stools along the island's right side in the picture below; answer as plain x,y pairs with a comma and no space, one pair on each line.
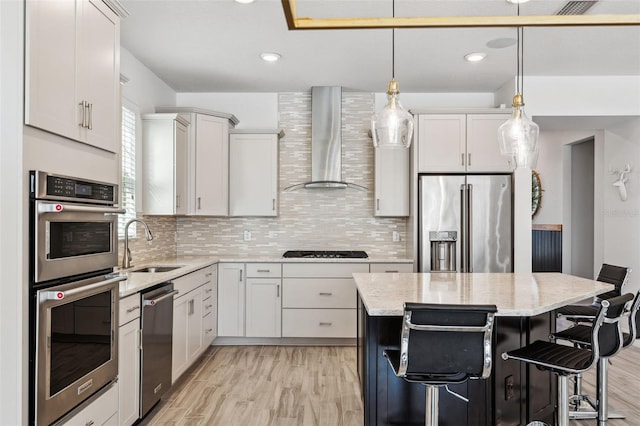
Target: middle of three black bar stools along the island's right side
579,335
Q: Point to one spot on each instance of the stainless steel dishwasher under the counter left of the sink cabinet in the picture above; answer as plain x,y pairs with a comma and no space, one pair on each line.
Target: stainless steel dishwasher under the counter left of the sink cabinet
155,357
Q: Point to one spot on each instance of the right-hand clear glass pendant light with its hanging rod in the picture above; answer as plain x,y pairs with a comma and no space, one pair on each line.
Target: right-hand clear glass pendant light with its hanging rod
518,136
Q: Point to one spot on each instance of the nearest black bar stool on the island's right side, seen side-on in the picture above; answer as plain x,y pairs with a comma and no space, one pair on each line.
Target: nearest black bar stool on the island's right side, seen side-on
605,340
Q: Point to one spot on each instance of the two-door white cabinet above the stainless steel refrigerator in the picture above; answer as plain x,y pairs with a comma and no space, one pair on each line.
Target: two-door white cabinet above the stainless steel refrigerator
460,143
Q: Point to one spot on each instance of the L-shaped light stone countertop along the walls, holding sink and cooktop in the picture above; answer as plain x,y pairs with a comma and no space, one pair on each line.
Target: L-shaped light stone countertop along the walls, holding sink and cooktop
139,281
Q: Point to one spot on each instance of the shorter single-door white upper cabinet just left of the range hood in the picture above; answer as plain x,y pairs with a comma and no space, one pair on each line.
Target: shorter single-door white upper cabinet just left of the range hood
253,173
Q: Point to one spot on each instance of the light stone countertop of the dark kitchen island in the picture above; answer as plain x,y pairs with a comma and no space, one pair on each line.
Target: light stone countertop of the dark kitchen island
513,294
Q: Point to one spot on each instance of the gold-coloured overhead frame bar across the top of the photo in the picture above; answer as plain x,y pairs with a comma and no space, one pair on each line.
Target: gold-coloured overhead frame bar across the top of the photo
306,23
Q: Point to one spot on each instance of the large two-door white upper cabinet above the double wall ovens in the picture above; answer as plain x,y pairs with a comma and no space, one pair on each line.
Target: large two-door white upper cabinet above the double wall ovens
72,71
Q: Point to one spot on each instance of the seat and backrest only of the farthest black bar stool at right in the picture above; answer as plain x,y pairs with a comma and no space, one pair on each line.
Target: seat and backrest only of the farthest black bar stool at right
612,274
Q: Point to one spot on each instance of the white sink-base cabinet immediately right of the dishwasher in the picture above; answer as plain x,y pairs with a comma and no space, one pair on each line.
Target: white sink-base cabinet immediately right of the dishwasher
189,339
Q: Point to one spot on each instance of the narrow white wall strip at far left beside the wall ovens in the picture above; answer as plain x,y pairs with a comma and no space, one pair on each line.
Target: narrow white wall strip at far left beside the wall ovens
13,304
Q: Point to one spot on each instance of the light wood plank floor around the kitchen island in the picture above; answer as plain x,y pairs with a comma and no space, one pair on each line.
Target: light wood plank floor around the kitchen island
298,385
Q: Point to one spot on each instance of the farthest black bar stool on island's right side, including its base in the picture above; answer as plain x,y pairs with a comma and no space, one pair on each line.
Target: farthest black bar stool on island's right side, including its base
612,274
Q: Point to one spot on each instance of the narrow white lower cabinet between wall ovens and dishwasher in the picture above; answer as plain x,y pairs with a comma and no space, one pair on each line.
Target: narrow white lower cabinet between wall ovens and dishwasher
129,360
